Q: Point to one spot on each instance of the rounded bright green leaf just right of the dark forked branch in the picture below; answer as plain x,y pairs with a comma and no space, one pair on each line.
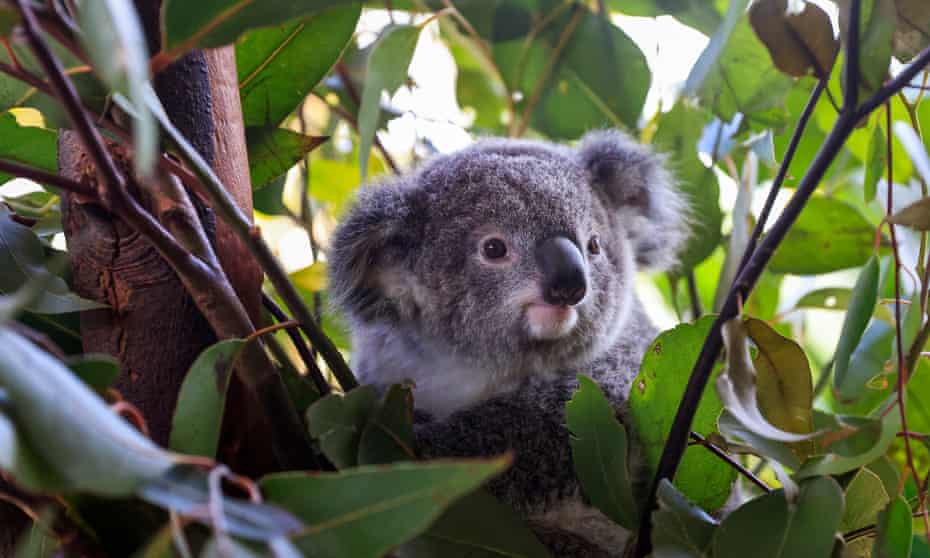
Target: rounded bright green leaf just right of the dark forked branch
829,235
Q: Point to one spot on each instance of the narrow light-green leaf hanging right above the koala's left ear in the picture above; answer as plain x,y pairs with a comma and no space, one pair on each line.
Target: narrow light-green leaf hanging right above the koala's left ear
387,70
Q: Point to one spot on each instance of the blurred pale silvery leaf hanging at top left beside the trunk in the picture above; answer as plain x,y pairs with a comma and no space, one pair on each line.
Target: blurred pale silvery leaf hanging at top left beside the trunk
113,37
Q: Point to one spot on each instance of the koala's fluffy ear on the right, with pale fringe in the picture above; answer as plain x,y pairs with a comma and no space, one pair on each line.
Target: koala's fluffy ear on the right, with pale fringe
633,180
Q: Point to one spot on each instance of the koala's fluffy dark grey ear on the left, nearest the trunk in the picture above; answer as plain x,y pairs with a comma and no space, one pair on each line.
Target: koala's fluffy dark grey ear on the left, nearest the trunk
370,255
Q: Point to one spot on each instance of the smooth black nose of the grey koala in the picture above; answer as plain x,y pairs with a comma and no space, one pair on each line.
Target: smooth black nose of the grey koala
562,267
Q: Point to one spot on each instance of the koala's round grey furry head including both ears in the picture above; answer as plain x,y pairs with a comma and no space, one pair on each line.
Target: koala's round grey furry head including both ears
516,254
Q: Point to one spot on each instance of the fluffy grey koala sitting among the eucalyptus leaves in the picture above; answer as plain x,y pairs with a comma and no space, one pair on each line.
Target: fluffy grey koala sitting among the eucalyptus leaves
493,276
